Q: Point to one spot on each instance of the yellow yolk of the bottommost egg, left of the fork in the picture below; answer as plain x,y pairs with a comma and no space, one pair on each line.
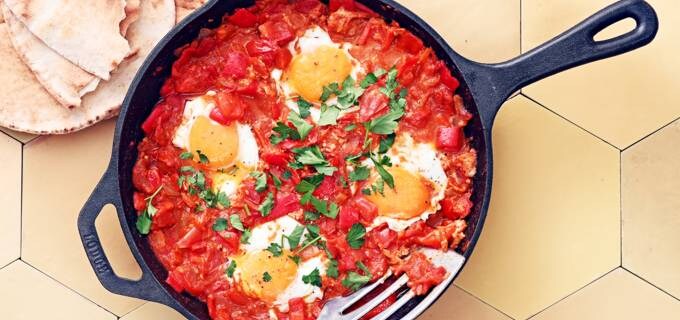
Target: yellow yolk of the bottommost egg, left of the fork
253,265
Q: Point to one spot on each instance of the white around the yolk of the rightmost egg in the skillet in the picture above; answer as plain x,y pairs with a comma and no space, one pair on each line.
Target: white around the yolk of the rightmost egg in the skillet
420,159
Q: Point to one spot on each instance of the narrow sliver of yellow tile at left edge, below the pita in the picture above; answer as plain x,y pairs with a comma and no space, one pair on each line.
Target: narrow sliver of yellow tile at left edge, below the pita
10,199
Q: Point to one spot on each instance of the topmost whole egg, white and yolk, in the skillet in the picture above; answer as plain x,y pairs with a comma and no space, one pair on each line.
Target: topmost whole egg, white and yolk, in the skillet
317,62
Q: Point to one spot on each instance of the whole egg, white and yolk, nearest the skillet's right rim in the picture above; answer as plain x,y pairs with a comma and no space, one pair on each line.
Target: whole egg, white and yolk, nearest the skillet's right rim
419,184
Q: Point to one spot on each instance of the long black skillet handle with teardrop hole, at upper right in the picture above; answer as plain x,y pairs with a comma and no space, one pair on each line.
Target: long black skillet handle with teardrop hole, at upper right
572,48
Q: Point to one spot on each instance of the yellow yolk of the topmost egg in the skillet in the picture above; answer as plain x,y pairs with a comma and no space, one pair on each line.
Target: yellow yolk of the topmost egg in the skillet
309,73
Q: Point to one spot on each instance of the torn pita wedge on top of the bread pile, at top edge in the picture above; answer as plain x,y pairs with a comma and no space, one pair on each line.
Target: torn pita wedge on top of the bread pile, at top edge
86,33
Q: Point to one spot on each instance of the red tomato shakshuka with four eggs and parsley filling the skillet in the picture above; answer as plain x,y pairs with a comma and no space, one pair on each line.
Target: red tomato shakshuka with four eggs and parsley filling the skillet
300,151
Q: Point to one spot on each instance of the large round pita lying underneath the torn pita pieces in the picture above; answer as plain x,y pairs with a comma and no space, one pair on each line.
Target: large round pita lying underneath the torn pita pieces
28,107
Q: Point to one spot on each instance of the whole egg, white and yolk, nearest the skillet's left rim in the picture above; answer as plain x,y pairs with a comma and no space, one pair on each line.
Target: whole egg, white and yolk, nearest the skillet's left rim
231,149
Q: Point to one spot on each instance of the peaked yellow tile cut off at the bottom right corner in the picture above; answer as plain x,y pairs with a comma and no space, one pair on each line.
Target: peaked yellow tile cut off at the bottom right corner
618,295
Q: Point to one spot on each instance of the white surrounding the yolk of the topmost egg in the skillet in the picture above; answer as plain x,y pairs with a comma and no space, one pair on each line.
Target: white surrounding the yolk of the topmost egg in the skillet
311,40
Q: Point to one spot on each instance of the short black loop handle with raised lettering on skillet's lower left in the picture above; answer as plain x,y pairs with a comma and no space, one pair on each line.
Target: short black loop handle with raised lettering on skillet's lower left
106,192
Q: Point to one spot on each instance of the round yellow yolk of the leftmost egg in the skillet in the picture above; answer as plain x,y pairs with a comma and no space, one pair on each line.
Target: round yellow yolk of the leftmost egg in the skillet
219,143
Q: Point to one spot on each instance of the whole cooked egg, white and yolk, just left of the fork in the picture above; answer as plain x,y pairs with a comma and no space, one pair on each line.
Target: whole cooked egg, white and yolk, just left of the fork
286,276
